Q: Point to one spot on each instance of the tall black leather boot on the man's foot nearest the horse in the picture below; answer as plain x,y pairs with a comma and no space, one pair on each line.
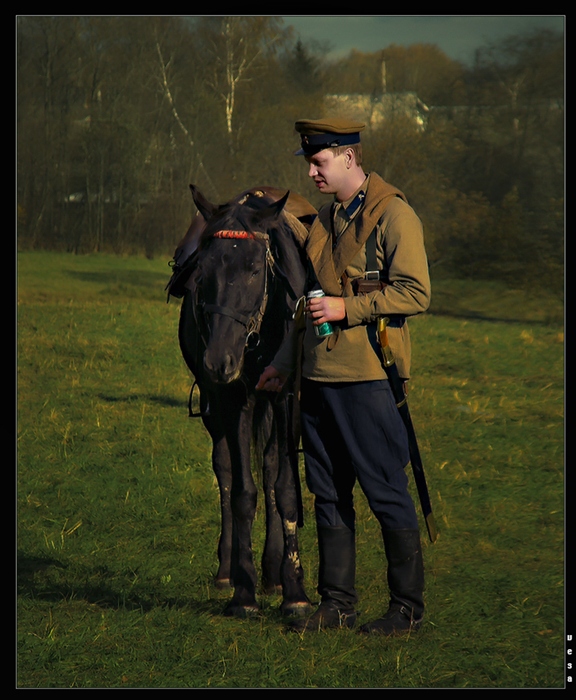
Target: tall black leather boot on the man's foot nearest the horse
336,577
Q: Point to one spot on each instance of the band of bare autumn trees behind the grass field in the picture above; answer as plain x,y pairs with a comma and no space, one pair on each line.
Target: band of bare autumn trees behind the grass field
117,115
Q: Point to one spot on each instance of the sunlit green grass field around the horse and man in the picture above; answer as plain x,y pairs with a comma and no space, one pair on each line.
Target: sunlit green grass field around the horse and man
117,508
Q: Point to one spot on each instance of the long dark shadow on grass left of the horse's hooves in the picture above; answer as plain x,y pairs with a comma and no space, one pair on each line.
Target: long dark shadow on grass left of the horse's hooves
34,581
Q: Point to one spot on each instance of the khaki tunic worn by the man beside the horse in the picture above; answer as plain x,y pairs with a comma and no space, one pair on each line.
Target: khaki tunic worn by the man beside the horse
353,355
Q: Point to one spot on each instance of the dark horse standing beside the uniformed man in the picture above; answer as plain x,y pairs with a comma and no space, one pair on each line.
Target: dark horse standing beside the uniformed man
243,275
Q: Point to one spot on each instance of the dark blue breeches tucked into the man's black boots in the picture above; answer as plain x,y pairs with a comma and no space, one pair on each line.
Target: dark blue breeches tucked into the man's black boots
352,430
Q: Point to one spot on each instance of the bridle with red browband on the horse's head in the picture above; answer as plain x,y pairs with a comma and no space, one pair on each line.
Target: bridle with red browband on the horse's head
252,322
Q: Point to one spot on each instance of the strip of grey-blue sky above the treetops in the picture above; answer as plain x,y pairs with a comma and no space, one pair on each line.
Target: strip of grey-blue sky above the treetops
457,35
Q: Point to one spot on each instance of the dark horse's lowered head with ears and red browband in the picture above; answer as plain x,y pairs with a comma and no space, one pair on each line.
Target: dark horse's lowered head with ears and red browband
235,278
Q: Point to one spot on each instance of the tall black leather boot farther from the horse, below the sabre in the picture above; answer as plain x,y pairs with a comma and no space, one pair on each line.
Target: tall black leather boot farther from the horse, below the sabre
406,583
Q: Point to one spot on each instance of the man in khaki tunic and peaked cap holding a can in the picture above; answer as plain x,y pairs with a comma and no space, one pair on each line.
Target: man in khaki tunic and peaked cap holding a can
366,252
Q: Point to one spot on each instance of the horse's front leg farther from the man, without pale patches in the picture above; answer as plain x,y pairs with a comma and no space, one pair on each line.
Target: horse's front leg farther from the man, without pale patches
243,499
